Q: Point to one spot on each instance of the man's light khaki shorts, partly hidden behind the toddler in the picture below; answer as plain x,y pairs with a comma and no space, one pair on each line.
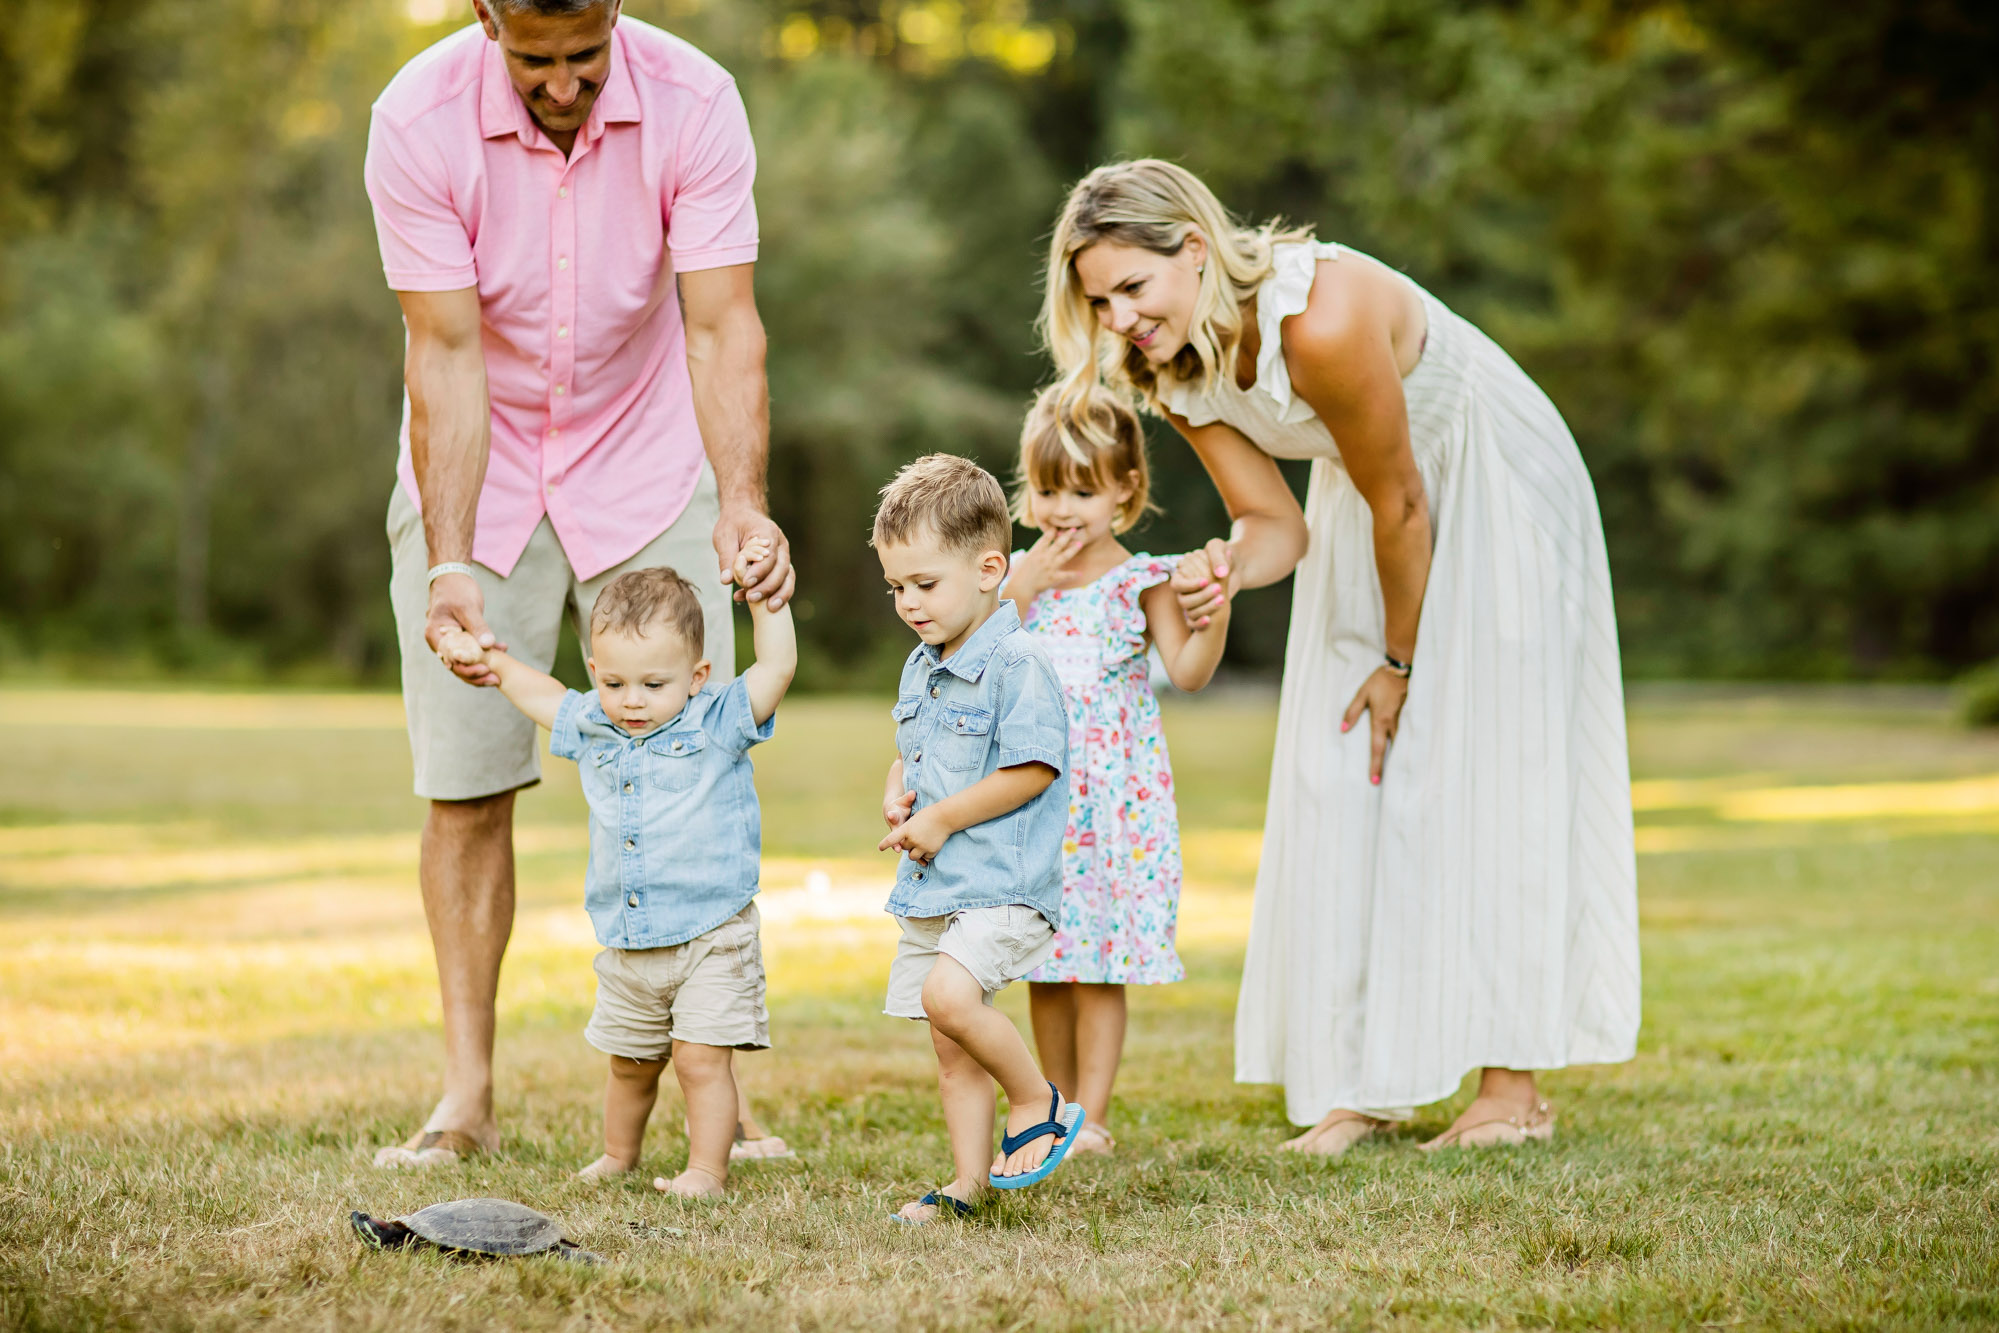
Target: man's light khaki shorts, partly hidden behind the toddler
469,742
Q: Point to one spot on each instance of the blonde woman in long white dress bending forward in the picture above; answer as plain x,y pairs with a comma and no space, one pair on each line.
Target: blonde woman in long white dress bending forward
1448,878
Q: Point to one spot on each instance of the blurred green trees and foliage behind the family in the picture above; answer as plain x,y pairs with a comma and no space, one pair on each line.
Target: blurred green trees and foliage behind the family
1750,251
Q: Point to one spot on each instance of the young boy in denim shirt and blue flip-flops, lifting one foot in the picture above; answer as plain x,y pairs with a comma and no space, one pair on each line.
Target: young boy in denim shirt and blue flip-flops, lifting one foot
977,810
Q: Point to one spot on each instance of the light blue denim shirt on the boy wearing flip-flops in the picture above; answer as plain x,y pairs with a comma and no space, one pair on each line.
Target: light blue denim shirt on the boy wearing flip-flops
993,704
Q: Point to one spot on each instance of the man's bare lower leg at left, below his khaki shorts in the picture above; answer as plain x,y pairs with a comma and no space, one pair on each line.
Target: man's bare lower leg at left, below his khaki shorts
467,870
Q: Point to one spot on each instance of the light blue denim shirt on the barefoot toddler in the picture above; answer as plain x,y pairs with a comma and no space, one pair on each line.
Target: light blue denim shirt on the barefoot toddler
675,826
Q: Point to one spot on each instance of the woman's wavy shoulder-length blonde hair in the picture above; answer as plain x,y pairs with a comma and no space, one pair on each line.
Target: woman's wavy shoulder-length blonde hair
1154,207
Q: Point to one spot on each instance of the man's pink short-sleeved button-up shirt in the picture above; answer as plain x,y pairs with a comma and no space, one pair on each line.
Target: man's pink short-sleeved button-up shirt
575,259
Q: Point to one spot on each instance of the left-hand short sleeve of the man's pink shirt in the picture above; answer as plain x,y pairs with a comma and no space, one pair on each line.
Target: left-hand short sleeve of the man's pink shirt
425,243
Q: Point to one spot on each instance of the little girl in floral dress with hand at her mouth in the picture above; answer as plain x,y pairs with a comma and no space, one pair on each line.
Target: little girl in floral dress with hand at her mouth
1096,609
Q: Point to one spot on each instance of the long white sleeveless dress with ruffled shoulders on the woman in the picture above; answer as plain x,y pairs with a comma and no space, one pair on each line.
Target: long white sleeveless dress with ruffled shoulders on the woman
1480,906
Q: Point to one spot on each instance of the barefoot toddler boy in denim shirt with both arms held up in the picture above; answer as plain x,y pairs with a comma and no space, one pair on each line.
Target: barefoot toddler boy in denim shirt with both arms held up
675,850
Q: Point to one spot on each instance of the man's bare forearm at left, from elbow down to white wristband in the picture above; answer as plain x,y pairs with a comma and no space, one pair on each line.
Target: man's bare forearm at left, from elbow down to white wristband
451,437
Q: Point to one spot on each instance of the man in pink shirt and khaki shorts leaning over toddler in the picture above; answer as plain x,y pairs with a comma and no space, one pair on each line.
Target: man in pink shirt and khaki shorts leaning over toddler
565,209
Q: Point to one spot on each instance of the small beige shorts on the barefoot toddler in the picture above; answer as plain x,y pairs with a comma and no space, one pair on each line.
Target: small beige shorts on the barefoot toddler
709,992
